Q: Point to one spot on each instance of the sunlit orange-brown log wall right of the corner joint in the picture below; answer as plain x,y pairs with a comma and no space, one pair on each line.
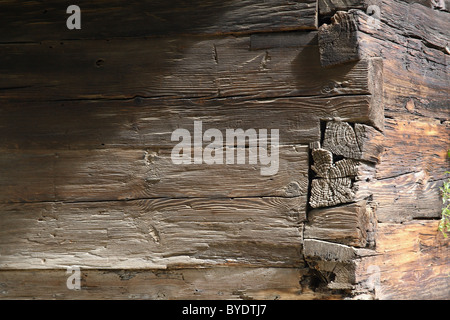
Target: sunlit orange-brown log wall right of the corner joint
411,258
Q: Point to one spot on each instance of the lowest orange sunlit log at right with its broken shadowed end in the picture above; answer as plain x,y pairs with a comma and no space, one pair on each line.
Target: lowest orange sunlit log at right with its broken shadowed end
409,263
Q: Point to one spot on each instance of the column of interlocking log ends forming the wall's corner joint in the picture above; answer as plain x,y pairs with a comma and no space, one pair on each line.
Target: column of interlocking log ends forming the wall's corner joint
342,222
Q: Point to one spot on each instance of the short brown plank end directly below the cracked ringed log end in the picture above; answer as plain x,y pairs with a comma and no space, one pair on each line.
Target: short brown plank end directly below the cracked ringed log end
347,224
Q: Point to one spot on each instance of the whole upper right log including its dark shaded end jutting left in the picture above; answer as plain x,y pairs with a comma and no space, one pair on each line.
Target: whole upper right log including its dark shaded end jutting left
412,68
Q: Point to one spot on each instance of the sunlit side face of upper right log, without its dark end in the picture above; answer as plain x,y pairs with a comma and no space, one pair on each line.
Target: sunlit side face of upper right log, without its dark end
416,74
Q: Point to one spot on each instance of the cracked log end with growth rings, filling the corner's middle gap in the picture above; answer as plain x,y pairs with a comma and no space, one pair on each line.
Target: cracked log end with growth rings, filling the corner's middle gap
348,155
